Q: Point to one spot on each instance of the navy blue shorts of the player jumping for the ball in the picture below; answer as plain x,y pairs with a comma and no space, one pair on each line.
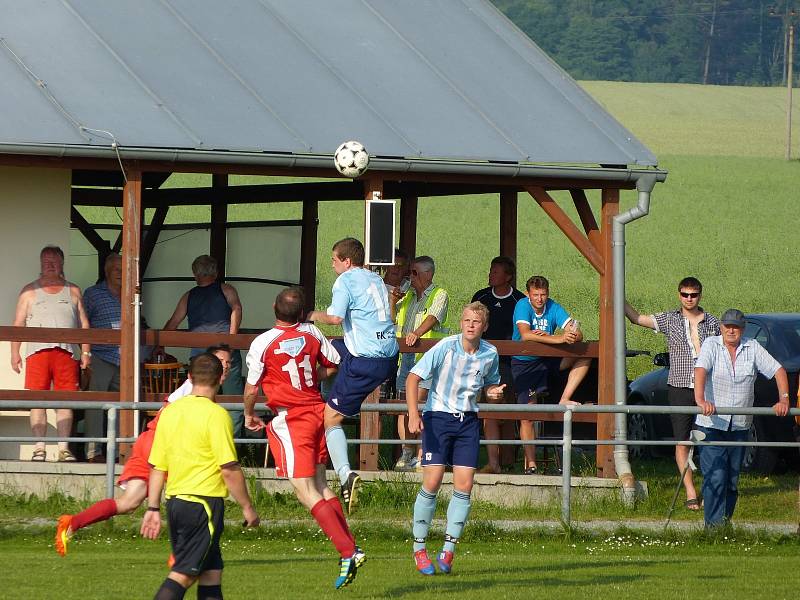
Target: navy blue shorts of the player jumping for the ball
358,377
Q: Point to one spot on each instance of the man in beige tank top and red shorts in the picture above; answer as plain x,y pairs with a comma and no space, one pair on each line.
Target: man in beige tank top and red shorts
51,301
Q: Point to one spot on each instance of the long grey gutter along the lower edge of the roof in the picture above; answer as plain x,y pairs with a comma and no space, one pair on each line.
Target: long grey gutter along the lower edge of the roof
324,161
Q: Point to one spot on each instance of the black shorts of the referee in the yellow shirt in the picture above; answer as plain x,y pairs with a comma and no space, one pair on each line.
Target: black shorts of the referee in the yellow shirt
195,527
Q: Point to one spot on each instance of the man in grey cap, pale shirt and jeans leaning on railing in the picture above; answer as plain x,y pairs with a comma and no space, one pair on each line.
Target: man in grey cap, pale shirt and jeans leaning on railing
725,375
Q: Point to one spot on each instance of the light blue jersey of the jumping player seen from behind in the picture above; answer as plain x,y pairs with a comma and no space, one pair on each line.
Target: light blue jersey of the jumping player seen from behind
360,298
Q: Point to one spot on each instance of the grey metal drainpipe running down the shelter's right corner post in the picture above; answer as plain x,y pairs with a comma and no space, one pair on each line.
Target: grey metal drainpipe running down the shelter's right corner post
644,185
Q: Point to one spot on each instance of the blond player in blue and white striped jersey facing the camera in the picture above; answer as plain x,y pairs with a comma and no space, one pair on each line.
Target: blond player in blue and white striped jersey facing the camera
461,366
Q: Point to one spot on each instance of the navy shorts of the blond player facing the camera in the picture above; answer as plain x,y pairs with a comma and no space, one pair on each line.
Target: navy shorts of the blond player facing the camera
450,439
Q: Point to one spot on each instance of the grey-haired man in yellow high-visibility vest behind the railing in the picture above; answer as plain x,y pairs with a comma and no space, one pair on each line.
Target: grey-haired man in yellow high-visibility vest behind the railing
421,313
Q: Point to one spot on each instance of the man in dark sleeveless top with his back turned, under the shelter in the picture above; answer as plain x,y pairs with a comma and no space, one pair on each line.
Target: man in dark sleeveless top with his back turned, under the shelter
213,307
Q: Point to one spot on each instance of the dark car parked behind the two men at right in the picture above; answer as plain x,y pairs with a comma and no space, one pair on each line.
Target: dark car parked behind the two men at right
779,333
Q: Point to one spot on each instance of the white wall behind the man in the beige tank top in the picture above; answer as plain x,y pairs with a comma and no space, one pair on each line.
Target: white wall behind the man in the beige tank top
34,212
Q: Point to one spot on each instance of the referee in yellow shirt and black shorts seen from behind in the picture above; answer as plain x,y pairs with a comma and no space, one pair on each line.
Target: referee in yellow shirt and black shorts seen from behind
194,444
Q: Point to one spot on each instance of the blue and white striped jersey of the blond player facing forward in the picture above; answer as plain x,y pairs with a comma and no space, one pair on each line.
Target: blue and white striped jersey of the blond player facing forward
458,377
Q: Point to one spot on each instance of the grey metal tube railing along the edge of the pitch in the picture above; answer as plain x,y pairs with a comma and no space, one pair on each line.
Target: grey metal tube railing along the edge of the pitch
566,442
